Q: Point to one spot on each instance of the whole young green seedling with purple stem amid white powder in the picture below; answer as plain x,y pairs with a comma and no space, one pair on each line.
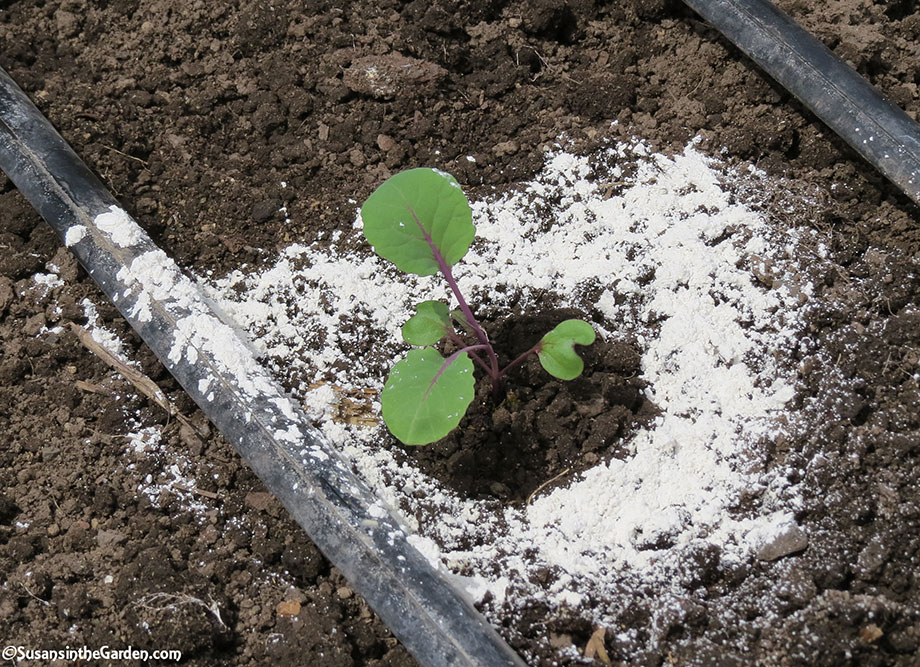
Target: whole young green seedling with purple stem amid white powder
422,222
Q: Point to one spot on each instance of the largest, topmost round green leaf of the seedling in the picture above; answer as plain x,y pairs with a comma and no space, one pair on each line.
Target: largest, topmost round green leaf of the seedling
415,207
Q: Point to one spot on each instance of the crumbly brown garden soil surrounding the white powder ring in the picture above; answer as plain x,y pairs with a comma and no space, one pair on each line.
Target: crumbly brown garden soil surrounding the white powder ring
195,113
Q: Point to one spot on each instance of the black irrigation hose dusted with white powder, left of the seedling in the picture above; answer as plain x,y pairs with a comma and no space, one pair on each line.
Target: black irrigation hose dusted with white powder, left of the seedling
296,462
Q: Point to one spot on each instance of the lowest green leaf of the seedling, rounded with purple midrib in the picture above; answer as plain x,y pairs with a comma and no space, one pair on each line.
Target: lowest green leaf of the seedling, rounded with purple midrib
422,400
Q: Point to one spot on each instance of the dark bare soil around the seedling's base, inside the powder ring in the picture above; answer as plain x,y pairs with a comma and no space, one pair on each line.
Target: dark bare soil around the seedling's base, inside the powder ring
539,431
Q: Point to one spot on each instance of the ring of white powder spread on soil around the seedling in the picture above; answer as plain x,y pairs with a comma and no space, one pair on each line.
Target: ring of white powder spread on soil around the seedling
670,258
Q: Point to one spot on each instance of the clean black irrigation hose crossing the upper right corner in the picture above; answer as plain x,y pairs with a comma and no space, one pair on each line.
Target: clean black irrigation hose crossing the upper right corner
878,130
